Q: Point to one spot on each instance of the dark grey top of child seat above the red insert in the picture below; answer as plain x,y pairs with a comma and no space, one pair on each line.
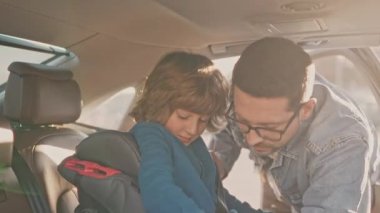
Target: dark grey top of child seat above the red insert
113,149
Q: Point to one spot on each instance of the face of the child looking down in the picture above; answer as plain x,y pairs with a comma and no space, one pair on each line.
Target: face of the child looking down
186,125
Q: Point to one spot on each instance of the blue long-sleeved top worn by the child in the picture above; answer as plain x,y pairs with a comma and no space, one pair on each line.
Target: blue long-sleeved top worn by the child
174,177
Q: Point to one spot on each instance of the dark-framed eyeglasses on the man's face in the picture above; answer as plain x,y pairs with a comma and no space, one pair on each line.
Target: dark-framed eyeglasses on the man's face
256,129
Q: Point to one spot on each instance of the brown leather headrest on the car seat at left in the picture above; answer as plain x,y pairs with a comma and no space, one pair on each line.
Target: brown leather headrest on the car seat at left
40,94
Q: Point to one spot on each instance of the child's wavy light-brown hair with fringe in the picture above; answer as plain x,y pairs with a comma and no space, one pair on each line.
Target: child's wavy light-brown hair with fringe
187,81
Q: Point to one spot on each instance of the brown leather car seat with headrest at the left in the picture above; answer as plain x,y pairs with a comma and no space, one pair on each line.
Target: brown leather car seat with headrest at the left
38,100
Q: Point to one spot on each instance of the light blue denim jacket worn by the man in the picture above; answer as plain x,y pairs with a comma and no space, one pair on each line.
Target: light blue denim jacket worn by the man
328,166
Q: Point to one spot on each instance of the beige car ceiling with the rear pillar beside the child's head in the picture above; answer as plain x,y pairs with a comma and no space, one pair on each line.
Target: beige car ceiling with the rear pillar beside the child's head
112,37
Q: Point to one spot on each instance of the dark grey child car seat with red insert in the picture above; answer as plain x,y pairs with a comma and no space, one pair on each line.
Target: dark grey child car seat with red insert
105,169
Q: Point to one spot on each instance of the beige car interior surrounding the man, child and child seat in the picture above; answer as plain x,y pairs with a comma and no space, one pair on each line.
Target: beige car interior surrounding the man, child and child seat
69,69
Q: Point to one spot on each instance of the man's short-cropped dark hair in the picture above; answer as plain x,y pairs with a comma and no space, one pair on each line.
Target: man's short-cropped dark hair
274,67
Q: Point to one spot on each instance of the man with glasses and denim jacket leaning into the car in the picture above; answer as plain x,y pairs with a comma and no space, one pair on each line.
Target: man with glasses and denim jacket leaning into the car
312,144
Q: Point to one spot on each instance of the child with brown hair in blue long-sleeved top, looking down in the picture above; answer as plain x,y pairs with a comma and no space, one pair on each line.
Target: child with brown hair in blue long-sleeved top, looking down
183,96
